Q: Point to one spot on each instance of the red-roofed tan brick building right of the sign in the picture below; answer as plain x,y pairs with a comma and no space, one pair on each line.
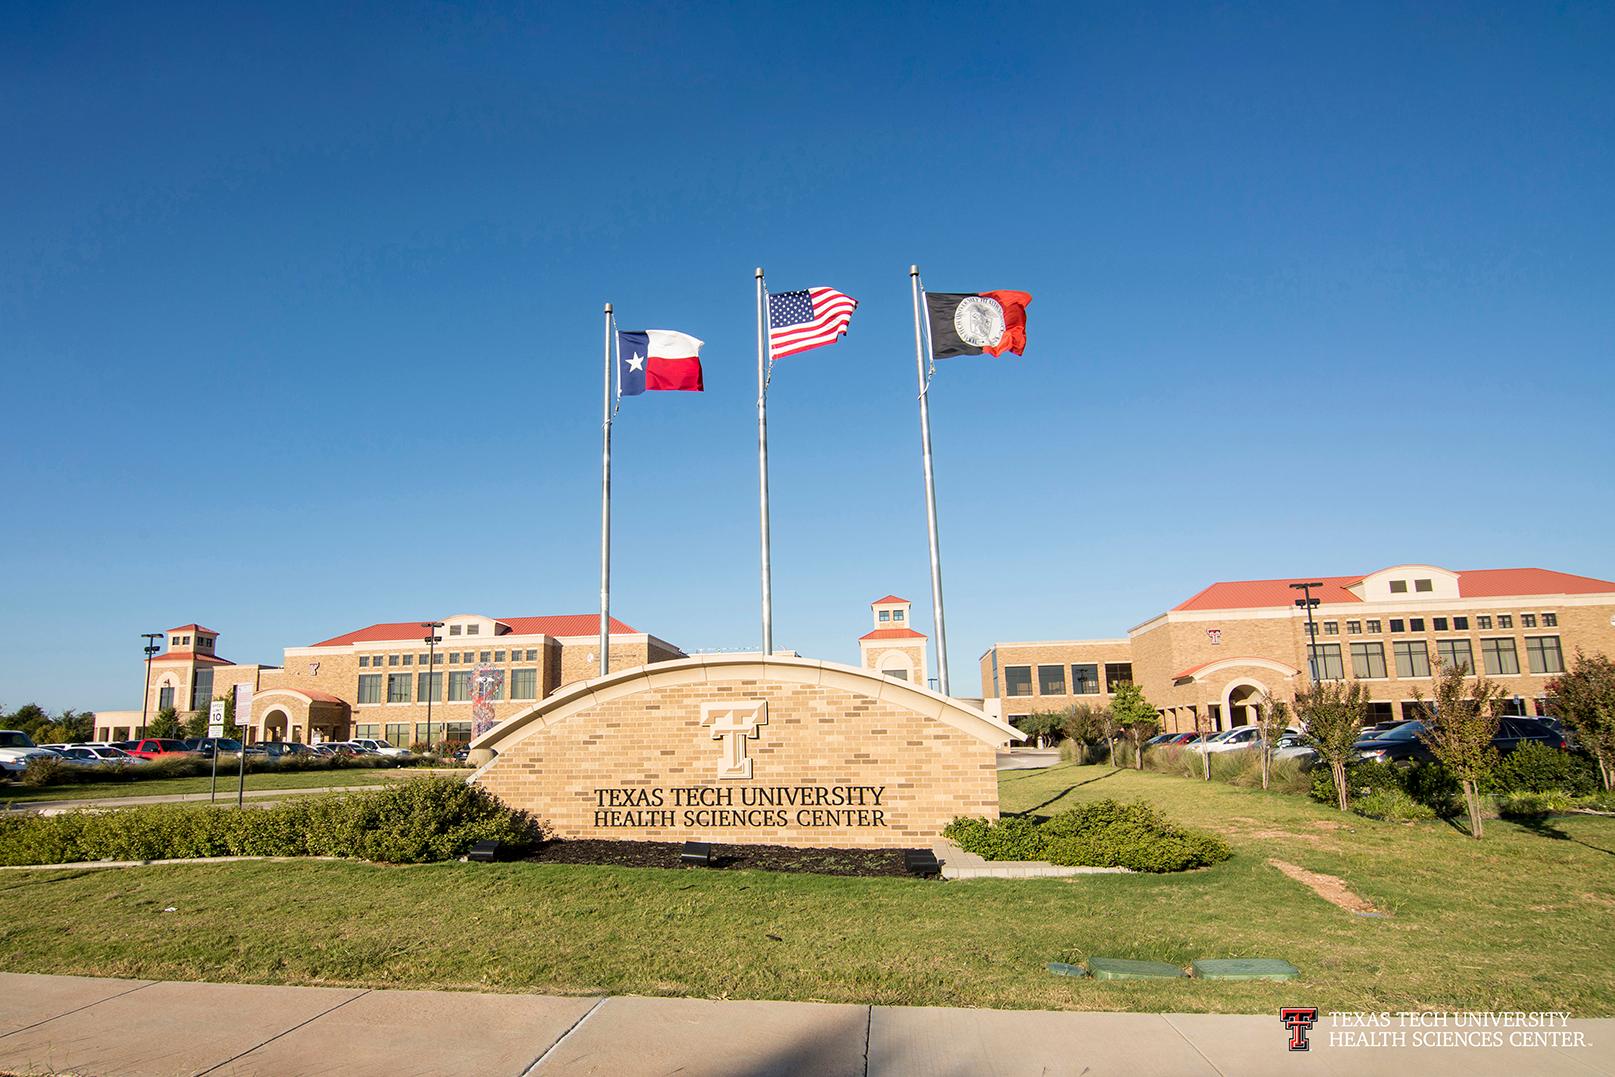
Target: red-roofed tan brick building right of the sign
1212,656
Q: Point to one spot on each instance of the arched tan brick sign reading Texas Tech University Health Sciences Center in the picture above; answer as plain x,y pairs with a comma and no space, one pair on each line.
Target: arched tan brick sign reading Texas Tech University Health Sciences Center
747,750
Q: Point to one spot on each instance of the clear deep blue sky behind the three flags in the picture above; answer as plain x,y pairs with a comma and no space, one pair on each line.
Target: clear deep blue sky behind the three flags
300,312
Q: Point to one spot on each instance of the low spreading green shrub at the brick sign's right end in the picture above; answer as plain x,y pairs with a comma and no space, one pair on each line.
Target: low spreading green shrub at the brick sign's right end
1101,834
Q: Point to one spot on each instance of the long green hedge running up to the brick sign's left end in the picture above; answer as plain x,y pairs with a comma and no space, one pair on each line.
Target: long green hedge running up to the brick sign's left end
413,823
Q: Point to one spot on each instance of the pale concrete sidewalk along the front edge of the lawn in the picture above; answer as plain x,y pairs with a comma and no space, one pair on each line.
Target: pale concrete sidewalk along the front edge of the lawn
52,1025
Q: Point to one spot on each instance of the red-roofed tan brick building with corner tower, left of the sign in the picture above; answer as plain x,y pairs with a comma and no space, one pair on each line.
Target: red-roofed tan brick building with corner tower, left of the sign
377,681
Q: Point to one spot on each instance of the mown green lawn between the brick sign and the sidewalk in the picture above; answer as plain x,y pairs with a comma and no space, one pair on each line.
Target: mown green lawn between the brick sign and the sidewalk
1521,921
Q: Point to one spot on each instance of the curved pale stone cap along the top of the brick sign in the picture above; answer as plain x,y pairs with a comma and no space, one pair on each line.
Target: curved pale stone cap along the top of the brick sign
750,668
